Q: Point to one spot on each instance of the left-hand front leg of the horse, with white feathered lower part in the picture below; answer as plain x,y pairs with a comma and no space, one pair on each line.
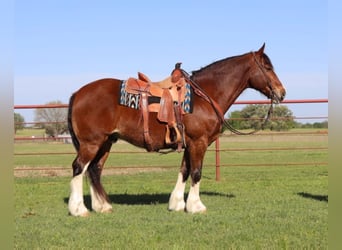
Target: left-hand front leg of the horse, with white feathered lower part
176,201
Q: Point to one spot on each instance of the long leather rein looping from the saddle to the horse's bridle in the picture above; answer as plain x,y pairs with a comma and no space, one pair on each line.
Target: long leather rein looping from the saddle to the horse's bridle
200,92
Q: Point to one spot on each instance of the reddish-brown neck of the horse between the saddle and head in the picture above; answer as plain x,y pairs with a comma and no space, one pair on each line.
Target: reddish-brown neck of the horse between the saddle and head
226,88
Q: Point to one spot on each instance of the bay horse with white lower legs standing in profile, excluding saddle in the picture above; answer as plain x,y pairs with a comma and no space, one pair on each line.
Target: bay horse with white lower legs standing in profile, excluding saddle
96,120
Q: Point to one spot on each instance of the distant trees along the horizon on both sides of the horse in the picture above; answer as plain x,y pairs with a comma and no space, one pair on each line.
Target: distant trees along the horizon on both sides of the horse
252,116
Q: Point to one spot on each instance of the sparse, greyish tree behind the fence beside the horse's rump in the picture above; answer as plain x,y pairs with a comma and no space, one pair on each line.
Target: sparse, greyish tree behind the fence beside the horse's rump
52,119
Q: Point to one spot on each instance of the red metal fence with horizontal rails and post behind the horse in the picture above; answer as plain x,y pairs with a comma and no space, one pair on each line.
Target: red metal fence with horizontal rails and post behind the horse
217,149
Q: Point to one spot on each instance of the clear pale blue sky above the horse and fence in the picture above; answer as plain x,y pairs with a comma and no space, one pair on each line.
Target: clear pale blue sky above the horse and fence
61,45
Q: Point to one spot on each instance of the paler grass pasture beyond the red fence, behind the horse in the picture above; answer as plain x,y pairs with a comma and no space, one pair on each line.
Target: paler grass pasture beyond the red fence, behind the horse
291,141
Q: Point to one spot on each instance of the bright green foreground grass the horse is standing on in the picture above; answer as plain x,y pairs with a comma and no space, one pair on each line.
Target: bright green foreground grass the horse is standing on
250,208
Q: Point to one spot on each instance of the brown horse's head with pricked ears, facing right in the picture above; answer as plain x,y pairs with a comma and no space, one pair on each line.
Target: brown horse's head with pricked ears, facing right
264,79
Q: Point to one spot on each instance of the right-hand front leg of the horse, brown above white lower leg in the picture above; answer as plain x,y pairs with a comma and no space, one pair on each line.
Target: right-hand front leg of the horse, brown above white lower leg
194,203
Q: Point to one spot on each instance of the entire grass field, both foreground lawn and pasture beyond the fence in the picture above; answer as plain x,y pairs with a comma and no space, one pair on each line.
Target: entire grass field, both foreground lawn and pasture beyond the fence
279,206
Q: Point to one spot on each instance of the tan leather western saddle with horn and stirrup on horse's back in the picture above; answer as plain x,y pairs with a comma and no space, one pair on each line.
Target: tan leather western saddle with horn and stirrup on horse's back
171,92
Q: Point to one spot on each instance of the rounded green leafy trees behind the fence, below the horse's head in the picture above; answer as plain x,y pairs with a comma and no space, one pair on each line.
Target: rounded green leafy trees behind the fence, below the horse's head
252,117
